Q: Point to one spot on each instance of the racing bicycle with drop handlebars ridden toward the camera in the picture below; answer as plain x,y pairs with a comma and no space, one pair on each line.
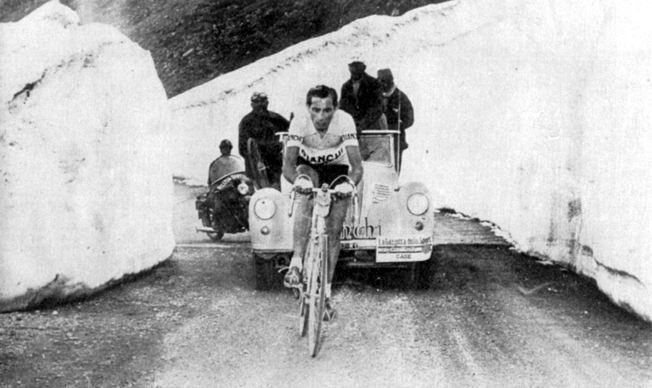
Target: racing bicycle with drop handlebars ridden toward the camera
311,294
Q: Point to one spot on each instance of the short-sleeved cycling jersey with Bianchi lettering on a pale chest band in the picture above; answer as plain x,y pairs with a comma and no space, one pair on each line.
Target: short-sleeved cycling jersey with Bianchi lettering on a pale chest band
329,149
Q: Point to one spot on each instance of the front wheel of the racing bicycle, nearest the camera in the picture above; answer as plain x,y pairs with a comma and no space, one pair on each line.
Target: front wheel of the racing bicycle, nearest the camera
317,295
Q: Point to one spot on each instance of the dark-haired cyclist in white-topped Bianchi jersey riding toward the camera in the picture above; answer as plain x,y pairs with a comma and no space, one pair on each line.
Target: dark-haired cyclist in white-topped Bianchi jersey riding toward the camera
323,145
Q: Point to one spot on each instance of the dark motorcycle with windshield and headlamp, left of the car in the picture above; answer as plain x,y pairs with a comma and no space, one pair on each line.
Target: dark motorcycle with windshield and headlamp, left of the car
224,208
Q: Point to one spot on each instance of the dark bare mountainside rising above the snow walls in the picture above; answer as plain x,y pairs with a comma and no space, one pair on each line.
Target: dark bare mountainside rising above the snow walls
194,41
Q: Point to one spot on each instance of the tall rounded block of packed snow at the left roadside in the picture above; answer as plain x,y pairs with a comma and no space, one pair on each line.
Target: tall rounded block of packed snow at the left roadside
86,185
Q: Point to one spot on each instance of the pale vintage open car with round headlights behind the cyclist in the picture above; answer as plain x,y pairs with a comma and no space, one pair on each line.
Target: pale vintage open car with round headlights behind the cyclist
393,227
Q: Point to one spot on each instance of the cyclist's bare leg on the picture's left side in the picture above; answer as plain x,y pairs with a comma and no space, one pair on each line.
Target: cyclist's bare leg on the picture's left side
302,219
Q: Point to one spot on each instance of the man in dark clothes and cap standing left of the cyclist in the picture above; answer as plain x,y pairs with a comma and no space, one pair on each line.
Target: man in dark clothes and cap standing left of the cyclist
263,125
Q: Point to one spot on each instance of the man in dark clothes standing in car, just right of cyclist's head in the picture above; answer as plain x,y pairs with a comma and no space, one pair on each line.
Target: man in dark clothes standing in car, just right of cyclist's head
360,97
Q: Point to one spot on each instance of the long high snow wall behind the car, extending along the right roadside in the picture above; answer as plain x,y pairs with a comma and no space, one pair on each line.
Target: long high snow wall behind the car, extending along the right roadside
534,115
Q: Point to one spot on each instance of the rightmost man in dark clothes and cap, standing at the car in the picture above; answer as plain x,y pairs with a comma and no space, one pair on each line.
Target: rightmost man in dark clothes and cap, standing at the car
396,107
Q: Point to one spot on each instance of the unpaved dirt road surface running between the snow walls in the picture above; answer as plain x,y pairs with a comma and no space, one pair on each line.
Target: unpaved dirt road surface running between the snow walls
491,317
